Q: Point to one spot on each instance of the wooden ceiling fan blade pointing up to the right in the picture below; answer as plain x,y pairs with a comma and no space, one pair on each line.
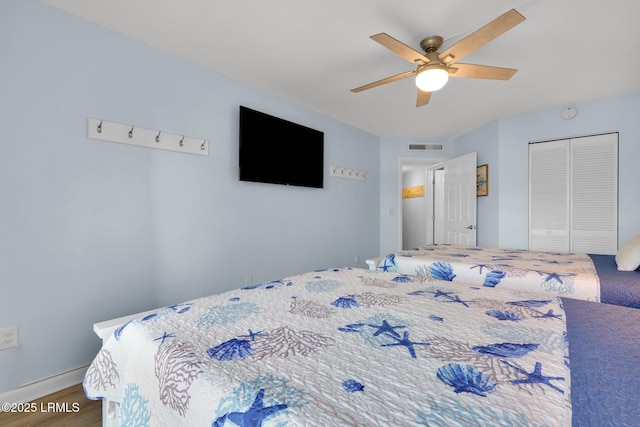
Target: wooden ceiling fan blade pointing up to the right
479,38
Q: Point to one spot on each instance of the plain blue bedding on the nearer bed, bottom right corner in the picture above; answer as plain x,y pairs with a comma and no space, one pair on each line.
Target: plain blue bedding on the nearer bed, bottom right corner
604,353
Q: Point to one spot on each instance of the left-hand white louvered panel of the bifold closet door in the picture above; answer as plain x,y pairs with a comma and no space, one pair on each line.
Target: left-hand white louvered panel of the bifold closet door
549,196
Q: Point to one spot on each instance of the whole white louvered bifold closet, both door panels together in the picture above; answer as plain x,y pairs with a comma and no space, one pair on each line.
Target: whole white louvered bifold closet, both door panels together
573,195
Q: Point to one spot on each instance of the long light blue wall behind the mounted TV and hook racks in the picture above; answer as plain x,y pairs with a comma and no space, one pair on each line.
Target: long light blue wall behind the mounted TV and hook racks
92,230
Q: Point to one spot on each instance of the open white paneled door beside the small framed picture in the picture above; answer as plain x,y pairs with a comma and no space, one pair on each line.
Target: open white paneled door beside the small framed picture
460,200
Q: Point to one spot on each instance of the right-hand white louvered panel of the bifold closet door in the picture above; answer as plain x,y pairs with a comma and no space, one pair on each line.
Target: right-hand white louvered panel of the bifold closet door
594,194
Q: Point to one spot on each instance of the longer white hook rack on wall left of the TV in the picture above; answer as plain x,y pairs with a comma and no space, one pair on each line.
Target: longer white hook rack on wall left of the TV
149,138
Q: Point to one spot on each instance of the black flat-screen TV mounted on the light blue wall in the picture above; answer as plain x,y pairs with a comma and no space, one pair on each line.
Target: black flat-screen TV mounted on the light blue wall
277,151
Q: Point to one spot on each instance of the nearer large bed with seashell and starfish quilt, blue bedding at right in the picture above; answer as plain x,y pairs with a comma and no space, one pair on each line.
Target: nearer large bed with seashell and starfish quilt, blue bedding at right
354,347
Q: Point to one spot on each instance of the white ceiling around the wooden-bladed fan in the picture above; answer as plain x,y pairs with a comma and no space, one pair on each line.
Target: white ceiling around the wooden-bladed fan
313,53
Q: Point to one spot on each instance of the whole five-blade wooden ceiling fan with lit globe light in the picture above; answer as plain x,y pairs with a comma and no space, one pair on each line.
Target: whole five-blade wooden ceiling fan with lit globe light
435,68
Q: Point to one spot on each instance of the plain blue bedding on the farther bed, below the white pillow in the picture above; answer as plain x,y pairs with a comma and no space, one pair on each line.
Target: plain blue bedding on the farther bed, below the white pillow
617,287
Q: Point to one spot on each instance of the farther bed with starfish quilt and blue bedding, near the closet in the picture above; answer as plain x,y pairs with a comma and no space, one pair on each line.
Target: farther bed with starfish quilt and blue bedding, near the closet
581,276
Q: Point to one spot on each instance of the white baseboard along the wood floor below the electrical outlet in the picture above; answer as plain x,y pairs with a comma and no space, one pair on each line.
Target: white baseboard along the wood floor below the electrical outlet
45,386
